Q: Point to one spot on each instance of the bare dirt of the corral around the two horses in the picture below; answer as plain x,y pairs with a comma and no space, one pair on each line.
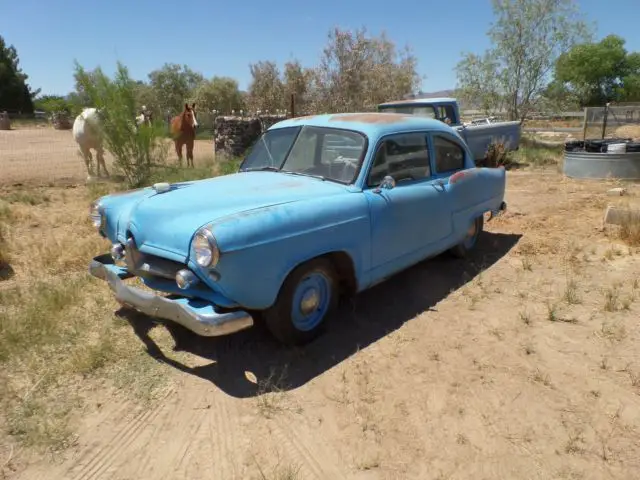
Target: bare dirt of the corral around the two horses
43,154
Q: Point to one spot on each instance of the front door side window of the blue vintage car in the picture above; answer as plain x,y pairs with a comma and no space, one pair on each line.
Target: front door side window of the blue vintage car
404,156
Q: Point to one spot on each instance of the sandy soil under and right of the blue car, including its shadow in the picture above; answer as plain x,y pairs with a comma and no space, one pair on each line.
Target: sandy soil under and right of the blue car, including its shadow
520,362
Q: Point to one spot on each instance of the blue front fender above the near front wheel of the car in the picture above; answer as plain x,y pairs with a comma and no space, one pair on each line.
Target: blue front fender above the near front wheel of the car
261,247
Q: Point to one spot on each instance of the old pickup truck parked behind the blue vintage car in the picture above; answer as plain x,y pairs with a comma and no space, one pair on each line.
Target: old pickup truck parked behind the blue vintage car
477,136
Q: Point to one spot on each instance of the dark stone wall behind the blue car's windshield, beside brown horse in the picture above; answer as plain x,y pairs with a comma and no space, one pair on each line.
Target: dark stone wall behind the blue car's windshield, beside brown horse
234,135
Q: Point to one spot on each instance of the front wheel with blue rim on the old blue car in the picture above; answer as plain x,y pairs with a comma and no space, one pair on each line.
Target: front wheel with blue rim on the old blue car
307,297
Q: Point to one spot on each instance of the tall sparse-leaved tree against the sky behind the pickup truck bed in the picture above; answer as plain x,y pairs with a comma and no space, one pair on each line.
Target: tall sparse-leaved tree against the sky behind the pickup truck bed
527,38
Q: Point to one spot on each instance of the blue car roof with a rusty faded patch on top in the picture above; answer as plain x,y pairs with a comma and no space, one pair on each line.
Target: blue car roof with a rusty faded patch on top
372,124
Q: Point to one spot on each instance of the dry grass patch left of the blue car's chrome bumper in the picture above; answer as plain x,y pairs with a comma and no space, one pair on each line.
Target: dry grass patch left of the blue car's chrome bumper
58,330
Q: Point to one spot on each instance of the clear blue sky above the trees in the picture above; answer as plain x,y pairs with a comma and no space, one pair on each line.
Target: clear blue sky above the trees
223,38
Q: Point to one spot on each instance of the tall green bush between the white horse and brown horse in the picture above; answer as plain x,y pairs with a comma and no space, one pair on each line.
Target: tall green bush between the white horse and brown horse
136,151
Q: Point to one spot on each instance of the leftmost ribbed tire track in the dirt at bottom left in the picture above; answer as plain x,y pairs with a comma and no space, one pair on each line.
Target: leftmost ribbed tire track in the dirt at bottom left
106,455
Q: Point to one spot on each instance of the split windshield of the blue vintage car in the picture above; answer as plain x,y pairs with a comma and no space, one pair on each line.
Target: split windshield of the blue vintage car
326,153
